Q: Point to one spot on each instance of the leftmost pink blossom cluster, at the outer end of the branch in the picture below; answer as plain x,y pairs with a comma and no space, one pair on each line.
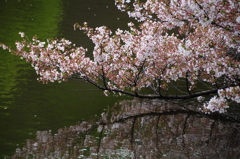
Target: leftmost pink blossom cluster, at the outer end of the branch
53,60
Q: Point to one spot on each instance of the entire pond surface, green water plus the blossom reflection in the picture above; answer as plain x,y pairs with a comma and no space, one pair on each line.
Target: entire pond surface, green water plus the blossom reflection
131,129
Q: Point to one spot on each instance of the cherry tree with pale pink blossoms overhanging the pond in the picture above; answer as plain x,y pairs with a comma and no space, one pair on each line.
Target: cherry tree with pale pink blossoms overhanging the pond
180,49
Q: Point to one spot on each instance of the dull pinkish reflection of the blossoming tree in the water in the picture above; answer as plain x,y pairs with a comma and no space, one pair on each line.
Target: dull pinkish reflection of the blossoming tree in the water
141,129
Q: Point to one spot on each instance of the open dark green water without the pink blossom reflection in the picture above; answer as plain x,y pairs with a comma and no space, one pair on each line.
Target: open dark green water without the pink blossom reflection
26,105
